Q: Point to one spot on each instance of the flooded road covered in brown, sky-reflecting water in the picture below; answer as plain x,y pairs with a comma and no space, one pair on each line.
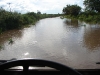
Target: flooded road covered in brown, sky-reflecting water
66,41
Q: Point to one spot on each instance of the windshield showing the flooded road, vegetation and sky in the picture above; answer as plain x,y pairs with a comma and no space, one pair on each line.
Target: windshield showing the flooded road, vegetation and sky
62,31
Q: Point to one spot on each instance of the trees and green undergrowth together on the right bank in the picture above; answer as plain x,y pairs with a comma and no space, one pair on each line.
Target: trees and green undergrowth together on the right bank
91,14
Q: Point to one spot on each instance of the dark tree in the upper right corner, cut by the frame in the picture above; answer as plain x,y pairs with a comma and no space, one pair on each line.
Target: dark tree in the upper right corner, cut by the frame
93,5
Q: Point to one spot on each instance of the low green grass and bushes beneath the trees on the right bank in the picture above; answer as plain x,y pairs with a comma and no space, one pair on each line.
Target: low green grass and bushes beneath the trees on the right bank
87,17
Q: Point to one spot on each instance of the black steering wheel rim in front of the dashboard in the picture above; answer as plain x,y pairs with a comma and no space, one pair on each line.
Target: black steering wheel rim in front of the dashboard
37,62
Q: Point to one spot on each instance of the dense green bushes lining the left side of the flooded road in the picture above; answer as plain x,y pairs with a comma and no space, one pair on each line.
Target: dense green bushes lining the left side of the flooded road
14,20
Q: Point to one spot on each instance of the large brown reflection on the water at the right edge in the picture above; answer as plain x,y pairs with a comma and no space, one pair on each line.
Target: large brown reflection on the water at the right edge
92,37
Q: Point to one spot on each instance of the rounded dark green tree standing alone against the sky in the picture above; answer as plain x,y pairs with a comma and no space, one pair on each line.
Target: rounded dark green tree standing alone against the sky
72,10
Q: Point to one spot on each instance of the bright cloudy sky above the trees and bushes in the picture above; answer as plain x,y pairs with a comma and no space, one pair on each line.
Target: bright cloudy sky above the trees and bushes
44,6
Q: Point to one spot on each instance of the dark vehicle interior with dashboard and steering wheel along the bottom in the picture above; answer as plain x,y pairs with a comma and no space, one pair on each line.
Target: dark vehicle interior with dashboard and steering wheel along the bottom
53,68
